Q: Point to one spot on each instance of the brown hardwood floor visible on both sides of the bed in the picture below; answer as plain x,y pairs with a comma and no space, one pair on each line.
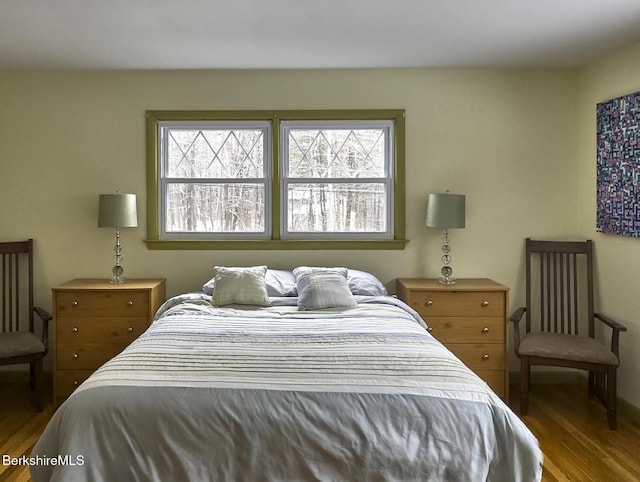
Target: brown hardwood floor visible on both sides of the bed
571,429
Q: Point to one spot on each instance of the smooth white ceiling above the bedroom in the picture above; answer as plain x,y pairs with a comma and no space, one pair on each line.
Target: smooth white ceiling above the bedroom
275,34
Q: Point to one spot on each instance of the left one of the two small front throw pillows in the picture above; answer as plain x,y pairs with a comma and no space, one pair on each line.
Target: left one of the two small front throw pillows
243,286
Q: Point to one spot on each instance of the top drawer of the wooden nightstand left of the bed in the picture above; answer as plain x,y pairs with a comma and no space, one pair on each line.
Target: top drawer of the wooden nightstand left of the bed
102,303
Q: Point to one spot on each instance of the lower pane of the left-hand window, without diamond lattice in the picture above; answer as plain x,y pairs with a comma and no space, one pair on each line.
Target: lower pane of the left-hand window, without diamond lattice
221,208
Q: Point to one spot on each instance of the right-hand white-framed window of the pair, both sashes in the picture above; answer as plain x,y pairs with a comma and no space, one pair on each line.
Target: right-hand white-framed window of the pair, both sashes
337,179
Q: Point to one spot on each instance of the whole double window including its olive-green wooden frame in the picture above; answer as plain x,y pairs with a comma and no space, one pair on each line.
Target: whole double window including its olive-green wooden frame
276,180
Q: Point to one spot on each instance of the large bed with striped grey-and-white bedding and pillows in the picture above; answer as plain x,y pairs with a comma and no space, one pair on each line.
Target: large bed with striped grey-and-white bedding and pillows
321,376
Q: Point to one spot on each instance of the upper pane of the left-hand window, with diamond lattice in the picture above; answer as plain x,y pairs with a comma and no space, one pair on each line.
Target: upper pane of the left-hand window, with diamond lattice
215,153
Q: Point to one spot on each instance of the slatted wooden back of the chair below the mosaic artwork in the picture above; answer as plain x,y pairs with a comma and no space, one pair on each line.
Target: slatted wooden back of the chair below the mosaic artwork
559,283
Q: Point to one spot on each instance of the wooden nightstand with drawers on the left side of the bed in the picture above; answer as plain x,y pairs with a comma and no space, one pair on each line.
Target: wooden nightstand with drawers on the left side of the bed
95,320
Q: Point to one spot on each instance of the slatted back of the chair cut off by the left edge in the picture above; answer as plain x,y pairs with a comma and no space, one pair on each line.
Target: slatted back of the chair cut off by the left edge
16,285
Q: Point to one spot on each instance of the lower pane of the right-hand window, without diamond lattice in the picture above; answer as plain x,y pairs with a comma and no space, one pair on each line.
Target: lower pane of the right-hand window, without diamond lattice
336,207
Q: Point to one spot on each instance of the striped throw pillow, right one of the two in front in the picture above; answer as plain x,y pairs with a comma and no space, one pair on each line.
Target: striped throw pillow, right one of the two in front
323,288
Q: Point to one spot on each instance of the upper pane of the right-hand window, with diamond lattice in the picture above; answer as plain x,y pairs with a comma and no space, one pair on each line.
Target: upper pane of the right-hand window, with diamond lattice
336,153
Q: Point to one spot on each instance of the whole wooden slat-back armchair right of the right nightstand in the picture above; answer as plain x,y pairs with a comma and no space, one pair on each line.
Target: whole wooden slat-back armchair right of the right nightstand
559,303
